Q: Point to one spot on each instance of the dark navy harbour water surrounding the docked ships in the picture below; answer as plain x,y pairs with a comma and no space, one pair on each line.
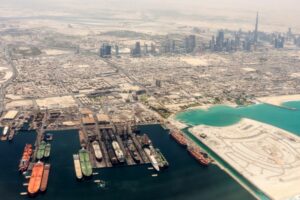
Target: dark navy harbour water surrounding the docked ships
184,180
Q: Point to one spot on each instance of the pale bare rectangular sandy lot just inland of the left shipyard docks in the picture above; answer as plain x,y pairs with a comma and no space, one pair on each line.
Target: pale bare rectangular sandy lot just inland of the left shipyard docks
56,102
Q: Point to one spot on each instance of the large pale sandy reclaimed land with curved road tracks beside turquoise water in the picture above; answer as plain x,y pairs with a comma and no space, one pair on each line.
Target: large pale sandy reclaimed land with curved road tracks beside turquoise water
265,155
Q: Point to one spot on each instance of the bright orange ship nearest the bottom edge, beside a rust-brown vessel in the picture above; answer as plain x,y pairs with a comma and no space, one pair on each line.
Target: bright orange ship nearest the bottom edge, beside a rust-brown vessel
35,178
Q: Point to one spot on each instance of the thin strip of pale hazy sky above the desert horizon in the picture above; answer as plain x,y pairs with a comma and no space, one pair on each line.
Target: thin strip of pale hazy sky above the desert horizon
283,5
